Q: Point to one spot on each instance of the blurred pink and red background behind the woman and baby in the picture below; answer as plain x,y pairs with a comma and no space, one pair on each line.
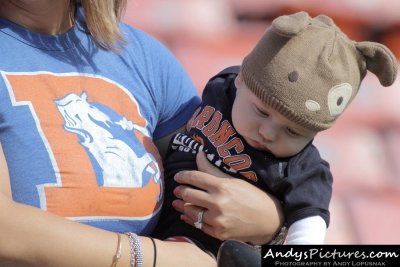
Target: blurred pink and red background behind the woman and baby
363,147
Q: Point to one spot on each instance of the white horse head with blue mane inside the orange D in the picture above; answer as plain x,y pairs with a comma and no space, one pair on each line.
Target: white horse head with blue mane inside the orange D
120,163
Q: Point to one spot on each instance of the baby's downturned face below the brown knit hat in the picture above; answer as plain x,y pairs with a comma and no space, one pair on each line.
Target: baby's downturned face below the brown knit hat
265,129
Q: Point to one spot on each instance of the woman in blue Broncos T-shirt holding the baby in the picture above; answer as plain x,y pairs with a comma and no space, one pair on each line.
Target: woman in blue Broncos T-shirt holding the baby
81,100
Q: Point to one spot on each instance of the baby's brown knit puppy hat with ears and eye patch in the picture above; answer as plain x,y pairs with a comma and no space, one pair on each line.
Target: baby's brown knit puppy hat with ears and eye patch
308,70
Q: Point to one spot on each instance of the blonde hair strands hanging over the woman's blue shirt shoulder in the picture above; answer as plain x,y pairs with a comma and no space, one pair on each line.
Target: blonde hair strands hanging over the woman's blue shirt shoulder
102,18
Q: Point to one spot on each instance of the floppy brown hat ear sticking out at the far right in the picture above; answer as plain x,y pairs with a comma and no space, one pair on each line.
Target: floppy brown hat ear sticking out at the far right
380,61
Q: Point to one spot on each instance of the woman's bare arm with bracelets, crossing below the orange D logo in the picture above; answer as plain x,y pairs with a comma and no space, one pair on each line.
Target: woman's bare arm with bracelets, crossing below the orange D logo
32,237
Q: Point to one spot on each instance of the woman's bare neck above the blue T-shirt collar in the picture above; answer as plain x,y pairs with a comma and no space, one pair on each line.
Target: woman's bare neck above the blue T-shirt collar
42,16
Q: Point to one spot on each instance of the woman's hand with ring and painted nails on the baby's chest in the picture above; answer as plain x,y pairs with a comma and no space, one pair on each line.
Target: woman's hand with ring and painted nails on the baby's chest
234,209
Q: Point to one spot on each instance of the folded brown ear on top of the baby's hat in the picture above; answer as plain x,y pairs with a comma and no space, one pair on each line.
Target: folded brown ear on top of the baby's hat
290,25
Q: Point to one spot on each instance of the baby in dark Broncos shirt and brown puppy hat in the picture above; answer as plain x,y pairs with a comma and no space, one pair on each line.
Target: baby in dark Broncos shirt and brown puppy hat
257,121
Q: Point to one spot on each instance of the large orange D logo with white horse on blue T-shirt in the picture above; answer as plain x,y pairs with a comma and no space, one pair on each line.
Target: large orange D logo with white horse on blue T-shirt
88,135
